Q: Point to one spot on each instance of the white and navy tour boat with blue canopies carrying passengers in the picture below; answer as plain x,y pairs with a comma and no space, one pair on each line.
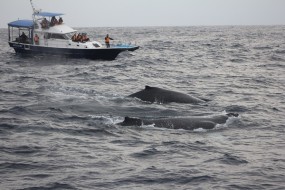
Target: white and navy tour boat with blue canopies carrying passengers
47,34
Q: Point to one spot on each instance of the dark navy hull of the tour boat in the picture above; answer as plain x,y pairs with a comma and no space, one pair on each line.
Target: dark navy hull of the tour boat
98,53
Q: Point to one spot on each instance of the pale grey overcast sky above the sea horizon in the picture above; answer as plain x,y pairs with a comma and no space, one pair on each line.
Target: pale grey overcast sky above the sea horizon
98,13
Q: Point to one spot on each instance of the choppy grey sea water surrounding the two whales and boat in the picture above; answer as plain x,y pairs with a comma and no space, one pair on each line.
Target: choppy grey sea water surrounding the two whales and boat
59,116
